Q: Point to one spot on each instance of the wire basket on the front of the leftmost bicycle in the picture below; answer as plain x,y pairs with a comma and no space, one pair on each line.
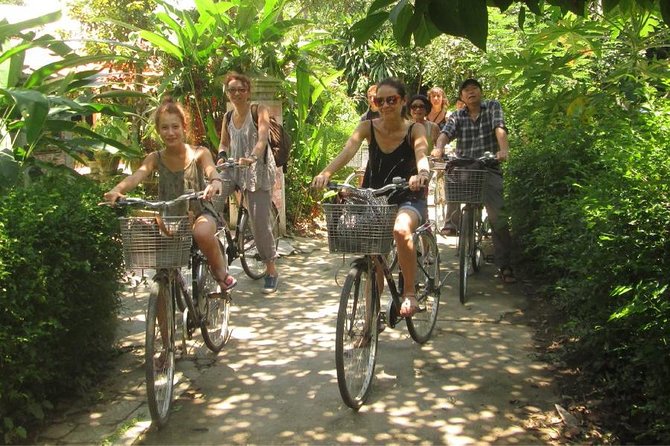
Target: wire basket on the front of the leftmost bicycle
146,246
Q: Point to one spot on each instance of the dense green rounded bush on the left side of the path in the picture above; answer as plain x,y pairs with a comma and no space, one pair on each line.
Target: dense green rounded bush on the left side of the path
60,265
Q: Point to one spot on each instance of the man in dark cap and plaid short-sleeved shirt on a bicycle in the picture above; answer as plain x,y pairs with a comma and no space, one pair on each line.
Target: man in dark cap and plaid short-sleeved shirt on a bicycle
479,127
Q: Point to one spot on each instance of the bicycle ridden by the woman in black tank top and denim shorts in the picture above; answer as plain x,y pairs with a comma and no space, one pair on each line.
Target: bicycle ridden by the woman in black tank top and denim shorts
363,224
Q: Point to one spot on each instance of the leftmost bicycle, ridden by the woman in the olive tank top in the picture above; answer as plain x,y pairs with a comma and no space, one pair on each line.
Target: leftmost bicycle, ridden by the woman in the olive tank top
165,243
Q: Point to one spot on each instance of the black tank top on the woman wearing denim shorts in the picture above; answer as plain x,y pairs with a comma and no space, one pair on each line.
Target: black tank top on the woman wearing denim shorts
383,167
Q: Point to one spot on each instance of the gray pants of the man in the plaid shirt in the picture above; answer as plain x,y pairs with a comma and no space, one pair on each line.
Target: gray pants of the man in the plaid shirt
495,208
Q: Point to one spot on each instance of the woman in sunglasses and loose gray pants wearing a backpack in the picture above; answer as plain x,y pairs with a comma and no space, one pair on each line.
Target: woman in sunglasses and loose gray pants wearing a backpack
247,141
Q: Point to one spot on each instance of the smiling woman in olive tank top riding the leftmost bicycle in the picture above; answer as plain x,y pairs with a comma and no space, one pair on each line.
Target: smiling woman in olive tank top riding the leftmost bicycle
182,167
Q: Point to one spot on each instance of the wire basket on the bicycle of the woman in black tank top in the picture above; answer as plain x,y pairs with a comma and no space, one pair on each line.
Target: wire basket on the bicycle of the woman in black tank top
360,228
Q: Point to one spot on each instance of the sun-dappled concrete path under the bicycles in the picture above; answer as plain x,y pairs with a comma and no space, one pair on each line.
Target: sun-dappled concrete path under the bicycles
476,382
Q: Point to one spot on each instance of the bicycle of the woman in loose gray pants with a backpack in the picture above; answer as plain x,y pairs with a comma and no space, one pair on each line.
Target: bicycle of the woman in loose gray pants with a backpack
241,243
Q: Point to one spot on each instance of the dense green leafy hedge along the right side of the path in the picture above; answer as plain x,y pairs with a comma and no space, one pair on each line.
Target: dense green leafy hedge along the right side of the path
590,205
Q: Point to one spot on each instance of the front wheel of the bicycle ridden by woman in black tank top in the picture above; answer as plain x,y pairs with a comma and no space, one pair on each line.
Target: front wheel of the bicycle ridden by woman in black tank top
356,336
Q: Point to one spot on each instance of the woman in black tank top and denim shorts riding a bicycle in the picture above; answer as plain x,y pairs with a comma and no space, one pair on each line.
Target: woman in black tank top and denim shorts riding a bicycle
397,149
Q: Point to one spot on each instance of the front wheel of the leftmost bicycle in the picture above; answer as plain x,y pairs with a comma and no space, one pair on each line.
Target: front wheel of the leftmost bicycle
159,353
